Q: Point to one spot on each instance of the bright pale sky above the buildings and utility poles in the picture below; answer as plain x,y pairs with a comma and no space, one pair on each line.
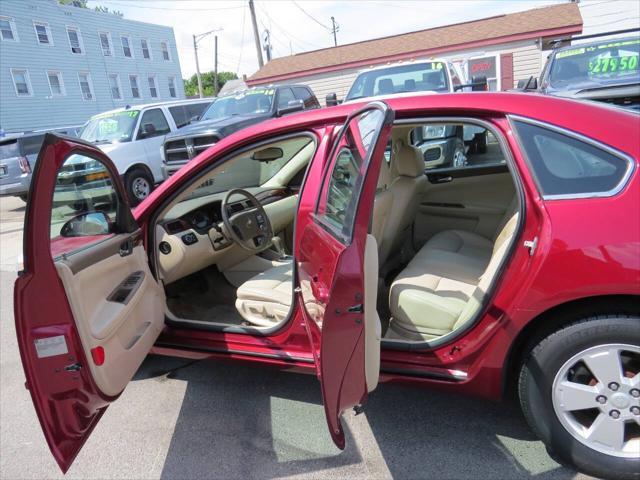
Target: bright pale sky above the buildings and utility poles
297,25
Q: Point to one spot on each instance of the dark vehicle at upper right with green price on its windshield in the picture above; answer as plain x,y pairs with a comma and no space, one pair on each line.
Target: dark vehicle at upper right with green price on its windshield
604,71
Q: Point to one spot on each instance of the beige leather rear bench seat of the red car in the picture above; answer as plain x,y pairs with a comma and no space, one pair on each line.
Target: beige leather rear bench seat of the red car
445,284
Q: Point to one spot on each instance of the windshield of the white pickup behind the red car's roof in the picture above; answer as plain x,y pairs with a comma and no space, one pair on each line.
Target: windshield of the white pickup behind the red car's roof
421,77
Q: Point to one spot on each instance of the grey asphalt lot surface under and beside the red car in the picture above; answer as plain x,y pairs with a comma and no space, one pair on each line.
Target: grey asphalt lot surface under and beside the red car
181,419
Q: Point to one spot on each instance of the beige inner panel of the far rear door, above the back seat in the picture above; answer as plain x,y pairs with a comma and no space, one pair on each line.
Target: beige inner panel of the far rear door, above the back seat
472,203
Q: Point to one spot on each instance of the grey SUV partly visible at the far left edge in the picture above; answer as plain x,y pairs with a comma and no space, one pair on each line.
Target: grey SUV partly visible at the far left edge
18,153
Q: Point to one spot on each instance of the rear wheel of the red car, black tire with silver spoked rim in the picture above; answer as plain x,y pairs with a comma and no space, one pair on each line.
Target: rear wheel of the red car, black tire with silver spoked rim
547,385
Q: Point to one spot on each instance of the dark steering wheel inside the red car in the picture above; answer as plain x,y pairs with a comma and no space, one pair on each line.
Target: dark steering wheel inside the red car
250,228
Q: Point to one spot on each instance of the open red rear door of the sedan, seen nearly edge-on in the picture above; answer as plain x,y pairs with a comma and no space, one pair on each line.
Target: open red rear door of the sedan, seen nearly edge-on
337,264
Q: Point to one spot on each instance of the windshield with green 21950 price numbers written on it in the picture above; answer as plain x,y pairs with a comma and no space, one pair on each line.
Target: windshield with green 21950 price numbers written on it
603,64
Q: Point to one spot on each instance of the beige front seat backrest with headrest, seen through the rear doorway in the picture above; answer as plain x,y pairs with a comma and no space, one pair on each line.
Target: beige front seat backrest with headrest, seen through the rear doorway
408,165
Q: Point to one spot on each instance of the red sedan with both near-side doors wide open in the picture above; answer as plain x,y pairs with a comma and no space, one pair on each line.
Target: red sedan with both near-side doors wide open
319,243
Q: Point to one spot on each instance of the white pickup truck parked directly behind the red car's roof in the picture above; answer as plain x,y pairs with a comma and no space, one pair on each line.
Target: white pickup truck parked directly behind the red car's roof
447,148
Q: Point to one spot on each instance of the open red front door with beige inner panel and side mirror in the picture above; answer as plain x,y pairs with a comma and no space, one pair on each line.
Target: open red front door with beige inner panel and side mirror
87,308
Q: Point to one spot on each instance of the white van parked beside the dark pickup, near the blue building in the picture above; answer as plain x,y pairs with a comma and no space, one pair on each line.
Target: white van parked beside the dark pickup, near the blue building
133,136
